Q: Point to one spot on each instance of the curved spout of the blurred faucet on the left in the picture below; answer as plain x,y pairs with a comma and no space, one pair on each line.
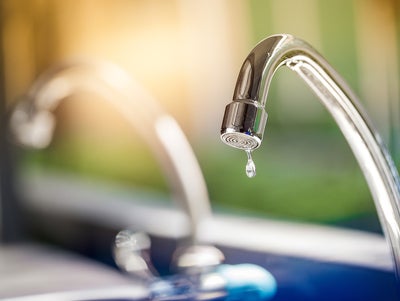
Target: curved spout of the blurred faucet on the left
32,123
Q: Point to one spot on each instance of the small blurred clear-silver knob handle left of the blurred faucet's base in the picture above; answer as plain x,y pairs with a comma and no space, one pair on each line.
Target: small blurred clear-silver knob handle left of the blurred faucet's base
132,255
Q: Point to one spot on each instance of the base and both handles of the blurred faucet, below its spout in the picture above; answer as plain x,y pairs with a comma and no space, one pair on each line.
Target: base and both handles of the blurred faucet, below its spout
201,275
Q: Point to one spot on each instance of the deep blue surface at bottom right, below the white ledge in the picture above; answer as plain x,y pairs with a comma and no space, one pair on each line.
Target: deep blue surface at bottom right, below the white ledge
301,279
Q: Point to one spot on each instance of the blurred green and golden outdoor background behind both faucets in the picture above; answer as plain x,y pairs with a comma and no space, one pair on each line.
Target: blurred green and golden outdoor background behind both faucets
187,54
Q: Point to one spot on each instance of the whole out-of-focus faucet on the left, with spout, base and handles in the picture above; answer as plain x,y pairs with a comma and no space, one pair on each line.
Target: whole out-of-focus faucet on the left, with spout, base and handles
32,122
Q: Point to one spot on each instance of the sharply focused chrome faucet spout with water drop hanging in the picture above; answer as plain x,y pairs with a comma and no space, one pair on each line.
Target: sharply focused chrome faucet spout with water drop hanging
245,119
